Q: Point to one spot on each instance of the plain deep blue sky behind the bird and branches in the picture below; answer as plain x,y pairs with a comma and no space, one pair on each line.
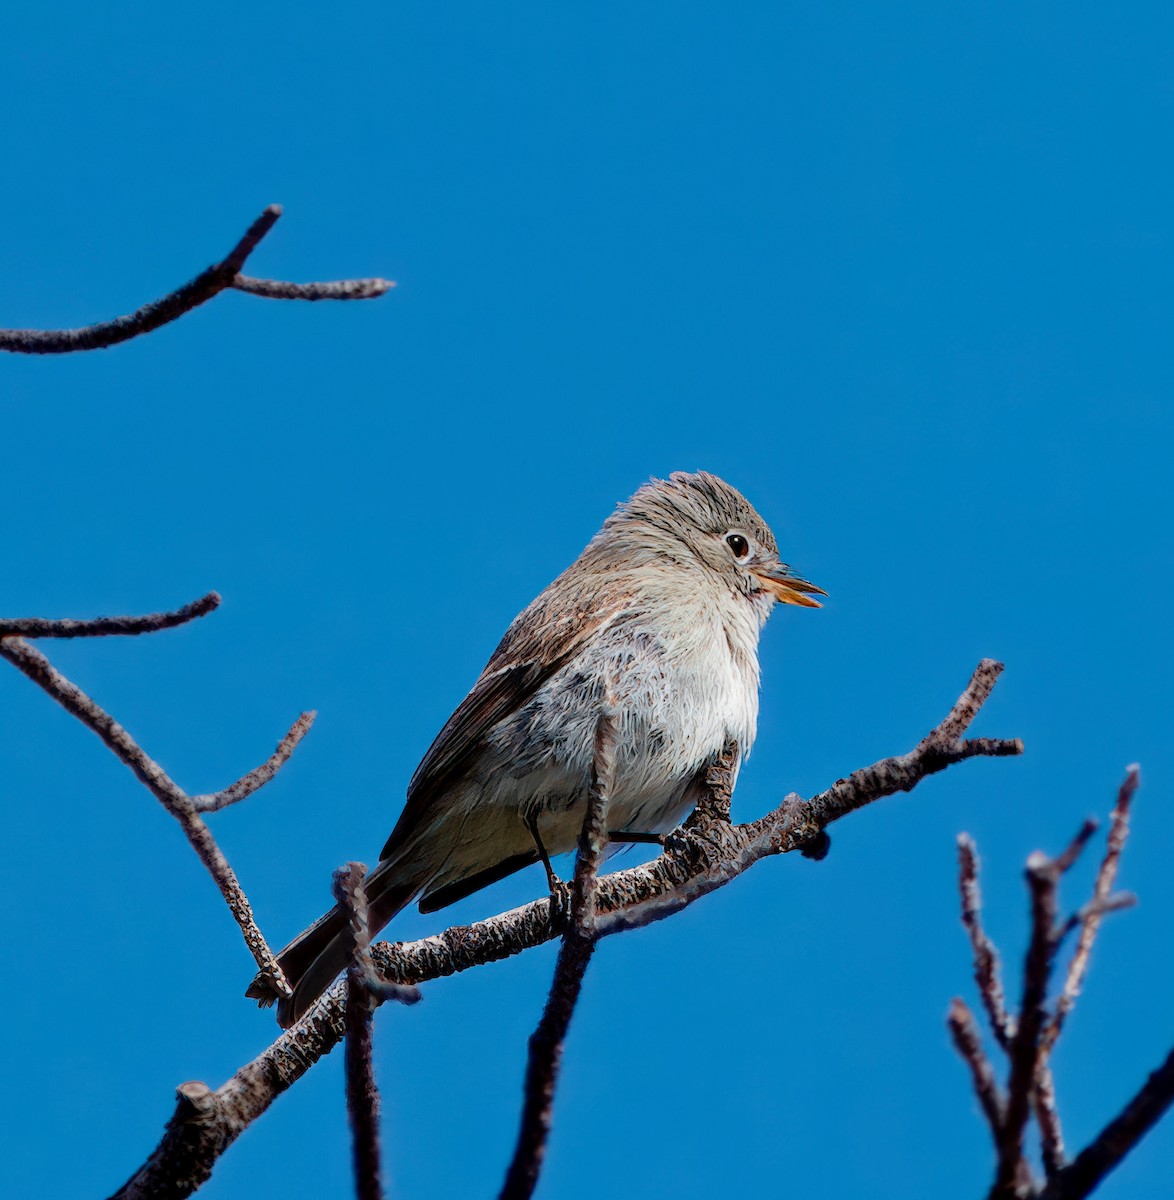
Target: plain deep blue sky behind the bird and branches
902,274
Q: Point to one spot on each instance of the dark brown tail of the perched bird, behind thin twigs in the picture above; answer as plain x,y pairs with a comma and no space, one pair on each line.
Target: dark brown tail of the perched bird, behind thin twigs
314,959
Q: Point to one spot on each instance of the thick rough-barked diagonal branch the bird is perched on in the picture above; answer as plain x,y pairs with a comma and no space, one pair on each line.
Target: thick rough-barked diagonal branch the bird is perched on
705,855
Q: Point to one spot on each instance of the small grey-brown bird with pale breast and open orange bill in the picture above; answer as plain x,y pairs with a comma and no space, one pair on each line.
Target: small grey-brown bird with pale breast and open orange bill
660,619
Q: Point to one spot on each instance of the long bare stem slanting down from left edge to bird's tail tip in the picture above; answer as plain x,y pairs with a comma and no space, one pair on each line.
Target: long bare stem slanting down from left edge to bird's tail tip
38,668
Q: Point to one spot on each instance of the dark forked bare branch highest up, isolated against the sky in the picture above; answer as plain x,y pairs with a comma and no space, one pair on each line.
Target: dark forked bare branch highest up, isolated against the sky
212,281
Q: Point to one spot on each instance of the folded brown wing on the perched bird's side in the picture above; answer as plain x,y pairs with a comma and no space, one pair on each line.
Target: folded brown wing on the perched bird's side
541,641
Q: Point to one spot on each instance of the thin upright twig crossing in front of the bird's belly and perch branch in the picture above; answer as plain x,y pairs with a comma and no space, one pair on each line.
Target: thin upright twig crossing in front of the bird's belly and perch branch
579,944
